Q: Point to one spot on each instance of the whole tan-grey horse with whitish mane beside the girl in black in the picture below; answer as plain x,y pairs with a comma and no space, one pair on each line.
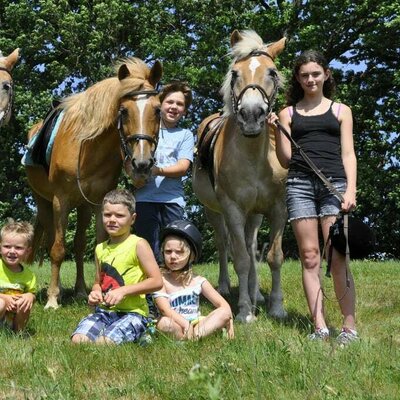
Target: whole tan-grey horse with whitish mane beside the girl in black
237,175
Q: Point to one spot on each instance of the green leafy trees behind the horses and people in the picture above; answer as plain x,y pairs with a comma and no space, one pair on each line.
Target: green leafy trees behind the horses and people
68,45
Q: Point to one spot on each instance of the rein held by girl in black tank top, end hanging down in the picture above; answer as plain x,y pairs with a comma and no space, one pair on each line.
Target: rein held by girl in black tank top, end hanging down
335,192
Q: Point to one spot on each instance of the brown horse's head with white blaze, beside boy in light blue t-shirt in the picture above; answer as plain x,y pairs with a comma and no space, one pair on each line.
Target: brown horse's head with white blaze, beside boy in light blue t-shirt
139,122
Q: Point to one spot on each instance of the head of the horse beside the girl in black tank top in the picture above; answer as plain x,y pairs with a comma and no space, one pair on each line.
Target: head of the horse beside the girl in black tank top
251,85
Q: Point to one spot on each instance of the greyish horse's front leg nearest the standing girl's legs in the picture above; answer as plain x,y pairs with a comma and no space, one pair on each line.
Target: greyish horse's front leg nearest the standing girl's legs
277,220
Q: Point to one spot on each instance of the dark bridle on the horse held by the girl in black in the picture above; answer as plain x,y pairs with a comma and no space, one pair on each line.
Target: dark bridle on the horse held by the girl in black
269,100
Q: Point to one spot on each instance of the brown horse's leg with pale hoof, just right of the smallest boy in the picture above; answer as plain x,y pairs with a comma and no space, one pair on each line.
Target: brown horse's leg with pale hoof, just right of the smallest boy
57,252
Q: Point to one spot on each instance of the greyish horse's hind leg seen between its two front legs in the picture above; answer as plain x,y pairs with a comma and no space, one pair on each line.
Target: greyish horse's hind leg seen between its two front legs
251,232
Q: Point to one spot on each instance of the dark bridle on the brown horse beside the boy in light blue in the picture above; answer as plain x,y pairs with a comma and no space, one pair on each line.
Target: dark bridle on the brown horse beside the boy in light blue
135,137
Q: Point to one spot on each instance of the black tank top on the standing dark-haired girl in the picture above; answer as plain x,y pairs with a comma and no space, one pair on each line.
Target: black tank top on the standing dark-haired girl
319,137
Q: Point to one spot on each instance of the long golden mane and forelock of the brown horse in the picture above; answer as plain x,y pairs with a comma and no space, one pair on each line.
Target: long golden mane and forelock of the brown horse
91,112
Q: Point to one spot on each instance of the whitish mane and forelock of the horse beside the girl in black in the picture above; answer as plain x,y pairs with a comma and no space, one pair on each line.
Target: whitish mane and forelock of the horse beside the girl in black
251,41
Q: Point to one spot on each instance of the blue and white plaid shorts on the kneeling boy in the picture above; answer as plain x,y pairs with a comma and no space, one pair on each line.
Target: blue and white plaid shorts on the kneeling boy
120,327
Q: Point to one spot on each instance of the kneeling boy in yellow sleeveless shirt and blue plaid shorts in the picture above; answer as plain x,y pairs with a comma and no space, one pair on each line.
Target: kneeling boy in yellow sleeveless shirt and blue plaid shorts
125,271
